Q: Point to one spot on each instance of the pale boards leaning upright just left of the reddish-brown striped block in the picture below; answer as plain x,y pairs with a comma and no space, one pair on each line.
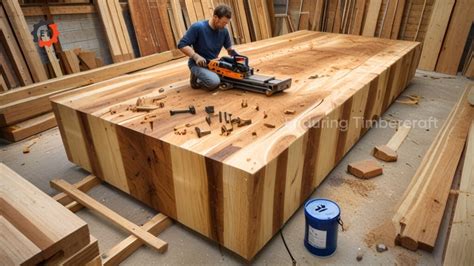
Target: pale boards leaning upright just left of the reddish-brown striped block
116,31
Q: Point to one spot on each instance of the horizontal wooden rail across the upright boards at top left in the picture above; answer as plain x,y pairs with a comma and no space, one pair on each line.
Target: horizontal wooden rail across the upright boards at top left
32,11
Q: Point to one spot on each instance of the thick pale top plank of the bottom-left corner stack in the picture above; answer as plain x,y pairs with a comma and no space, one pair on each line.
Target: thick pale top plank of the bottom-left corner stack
46,223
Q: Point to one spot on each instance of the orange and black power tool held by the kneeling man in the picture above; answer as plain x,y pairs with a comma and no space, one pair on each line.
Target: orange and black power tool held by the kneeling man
235,72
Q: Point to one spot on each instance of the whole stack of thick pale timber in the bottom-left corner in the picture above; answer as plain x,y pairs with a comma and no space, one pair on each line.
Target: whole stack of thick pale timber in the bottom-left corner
35,229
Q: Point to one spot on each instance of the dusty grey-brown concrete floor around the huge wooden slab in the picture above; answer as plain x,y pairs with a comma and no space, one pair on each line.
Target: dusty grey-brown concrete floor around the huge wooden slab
367,205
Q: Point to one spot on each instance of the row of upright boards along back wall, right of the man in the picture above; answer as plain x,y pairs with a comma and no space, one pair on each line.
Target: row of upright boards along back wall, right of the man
443,26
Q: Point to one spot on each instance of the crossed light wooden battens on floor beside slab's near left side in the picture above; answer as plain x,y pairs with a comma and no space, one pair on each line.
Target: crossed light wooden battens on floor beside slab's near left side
74,197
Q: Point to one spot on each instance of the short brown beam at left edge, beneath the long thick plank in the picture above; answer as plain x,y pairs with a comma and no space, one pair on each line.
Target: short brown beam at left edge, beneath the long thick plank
28,128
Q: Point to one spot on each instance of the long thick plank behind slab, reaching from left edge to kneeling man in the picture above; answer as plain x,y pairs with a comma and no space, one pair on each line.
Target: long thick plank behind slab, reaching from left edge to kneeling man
33,99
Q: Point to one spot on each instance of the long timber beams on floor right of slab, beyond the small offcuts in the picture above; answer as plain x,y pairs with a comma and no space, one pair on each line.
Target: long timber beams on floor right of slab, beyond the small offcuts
421,210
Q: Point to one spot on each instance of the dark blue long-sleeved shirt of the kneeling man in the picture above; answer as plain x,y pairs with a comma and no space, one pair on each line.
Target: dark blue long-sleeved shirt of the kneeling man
204,40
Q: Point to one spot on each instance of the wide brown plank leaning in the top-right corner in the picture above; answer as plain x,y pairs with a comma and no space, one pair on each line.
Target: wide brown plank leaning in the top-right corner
457,34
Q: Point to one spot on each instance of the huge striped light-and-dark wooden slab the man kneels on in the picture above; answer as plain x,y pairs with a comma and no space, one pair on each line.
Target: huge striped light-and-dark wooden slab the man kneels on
240,189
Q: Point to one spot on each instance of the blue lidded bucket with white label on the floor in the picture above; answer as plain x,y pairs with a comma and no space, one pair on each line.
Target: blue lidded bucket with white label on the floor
322,219
